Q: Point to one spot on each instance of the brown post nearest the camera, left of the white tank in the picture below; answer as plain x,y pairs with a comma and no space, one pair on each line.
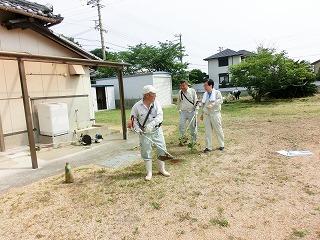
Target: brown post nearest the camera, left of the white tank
27,112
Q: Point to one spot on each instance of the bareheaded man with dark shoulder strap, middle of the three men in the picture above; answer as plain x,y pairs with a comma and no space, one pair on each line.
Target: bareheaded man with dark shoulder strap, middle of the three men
187,104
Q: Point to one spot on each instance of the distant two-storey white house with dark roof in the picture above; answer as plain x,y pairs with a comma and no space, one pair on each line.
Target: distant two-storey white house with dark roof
219,63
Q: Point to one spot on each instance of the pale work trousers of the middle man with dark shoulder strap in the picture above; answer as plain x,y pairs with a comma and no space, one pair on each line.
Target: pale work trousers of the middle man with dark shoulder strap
185,118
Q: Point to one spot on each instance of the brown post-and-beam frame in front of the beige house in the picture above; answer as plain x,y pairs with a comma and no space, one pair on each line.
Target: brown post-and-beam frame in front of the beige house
21,58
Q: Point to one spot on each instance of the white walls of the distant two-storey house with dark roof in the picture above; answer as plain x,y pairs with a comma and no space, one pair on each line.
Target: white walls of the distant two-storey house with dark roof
214,70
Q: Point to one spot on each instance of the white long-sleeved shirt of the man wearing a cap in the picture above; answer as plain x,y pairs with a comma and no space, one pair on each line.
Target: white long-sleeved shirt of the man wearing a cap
139,112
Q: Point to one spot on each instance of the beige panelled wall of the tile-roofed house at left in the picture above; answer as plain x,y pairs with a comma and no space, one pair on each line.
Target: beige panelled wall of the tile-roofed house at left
47,82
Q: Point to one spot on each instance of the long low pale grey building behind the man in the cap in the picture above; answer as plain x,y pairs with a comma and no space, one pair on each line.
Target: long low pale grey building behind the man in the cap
133,84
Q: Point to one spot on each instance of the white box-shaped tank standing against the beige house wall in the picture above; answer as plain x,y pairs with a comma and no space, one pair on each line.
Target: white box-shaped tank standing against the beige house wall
53,119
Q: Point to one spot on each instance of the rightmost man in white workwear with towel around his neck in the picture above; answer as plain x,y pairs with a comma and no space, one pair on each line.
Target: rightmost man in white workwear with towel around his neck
212,100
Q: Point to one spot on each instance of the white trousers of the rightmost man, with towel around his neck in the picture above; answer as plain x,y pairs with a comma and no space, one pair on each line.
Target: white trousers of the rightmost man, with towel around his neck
212,122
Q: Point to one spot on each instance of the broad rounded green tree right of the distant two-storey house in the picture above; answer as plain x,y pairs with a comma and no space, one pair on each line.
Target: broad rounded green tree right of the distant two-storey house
271,72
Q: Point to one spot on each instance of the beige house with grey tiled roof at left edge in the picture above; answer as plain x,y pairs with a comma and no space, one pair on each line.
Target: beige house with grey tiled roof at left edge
24,29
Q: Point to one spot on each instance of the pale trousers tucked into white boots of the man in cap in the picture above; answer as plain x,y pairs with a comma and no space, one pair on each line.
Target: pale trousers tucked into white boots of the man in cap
146,145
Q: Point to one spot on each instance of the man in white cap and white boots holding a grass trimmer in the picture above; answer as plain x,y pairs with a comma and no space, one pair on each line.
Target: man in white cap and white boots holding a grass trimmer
147,117
